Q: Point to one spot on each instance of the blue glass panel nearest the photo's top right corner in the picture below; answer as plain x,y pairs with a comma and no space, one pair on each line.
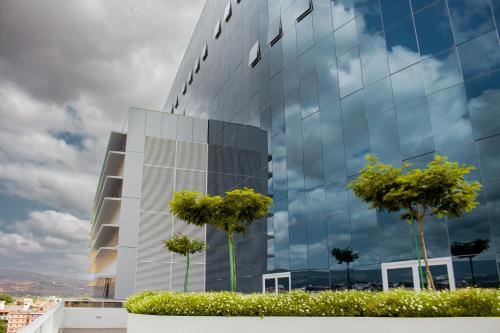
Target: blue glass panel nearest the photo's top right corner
470,18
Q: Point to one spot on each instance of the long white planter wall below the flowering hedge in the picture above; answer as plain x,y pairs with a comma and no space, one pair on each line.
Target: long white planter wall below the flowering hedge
173,324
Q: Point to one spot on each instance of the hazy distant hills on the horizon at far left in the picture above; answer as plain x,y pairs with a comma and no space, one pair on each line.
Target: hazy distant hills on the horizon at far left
22,283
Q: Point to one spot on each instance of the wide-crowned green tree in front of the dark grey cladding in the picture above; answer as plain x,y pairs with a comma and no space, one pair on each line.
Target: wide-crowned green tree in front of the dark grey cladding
231,213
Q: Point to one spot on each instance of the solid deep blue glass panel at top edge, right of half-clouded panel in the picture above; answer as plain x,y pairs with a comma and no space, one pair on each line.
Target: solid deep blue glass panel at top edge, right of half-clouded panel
430,39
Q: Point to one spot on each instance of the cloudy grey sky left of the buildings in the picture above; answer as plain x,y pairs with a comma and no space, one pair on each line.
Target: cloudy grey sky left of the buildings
69,70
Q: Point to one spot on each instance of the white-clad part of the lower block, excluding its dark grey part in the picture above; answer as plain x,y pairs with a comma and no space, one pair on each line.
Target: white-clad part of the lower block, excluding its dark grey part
154,155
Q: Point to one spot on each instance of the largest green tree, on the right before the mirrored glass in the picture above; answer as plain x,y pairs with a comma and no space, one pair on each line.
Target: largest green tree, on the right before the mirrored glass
440,189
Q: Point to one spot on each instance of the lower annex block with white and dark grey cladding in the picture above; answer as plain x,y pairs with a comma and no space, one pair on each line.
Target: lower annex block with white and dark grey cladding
155,154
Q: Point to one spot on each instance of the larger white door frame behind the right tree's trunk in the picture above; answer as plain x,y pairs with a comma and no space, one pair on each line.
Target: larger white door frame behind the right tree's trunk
413,264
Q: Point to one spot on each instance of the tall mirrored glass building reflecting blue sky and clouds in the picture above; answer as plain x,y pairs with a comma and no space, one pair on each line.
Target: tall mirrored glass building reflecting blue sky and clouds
331,81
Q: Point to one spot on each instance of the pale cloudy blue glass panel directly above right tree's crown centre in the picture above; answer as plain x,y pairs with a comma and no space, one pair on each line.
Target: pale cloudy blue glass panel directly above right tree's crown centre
415,133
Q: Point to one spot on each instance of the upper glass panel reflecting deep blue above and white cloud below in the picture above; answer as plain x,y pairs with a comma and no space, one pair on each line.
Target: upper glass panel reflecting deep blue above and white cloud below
401,44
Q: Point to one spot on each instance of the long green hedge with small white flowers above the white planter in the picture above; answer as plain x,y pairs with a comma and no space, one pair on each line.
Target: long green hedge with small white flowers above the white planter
396,303
